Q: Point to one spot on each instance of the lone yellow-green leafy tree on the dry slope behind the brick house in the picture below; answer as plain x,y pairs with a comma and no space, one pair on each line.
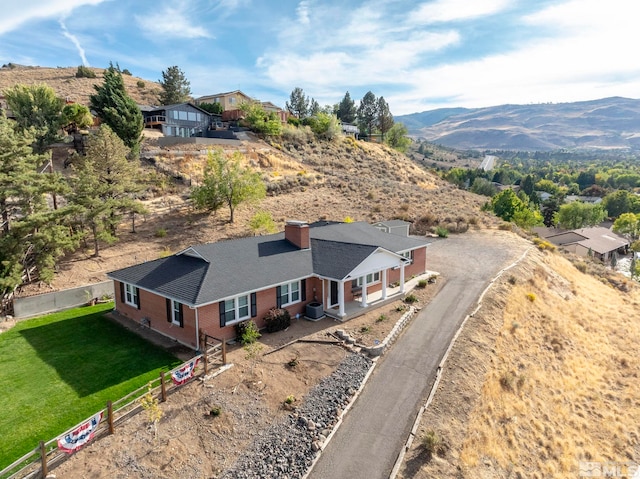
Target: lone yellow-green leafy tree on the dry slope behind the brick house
226,181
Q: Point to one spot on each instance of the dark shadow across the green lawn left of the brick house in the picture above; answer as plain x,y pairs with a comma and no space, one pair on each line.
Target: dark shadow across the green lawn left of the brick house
91,353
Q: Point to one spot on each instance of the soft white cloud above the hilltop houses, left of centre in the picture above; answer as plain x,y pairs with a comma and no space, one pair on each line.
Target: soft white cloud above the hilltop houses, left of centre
171,22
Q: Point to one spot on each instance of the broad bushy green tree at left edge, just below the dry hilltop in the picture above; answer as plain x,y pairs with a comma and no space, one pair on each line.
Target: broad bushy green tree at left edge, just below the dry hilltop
38,107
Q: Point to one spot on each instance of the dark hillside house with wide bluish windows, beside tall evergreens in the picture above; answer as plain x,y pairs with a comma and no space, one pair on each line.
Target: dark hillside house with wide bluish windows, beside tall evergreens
181,119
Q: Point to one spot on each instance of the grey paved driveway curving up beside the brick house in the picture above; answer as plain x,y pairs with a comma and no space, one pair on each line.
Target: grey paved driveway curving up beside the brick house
374,431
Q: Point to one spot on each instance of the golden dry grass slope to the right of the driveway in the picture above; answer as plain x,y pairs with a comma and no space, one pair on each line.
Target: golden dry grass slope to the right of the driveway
544,376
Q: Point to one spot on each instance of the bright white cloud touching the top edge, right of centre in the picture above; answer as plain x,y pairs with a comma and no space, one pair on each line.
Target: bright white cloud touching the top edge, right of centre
452,10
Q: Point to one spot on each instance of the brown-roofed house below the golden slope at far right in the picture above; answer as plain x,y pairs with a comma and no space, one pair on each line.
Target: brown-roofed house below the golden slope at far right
601,242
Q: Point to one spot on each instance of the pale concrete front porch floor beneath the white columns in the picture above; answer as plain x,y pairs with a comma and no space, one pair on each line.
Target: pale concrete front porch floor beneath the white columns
356,307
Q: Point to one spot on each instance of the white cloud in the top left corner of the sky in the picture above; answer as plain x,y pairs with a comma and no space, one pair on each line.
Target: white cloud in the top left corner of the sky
15,14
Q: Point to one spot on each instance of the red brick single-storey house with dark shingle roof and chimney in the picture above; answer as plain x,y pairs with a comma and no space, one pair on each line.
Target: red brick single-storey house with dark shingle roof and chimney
211,287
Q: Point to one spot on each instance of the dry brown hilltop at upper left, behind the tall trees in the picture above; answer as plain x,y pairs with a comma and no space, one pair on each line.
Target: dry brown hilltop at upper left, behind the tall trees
66,85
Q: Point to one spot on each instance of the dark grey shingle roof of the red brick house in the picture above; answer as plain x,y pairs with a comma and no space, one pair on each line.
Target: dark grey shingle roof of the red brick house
209,272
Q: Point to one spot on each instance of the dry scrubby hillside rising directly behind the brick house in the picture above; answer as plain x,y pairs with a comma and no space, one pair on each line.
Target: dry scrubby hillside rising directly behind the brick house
305,180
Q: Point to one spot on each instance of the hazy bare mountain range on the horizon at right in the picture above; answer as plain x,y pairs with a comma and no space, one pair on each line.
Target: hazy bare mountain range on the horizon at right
609,123
